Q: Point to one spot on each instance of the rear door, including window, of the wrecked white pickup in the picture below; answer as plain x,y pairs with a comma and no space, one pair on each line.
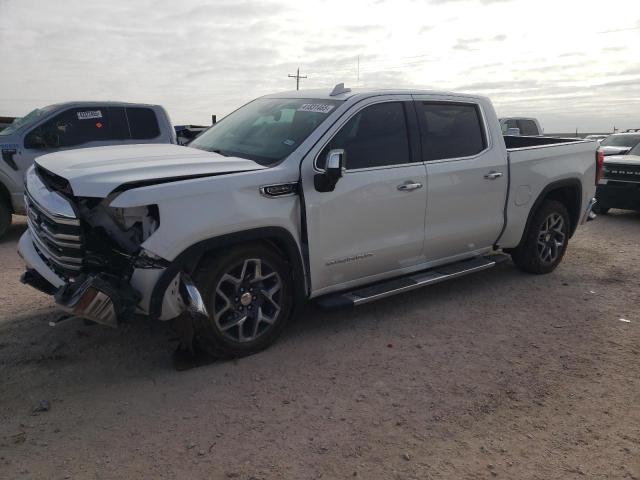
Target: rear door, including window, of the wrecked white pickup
466,179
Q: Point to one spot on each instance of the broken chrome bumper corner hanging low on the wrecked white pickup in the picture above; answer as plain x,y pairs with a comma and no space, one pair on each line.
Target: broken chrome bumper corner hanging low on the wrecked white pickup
97,298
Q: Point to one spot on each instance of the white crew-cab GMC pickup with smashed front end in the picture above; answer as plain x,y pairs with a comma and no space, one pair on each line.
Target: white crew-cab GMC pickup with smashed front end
340,196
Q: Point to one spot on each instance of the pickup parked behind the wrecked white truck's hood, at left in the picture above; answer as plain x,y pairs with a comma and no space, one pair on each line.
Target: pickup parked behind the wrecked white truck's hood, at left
67,126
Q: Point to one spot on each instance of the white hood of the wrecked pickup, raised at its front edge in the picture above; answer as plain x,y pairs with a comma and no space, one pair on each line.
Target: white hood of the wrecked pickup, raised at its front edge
96,172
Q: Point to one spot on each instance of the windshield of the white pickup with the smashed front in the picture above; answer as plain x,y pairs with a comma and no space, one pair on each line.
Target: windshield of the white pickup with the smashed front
266,130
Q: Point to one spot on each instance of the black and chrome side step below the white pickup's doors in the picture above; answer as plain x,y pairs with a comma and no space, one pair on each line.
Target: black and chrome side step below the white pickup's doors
410,282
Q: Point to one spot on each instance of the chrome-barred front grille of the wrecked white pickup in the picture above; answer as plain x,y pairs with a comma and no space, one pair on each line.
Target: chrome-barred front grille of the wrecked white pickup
57,237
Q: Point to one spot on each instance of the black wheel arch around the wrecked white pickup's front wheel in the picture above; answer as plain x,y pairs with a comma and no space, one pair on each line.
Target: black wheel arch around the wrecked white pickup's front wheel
277,238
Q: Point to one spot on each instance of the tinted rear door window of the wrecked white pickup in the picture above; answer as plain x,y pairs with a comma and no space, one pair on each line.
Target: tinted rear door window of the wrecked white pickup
451,130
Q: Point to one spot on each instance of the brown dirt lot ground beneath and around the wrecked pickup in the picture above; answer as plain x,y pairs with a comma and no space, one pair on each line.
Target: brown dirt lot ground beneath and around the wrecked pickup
500,374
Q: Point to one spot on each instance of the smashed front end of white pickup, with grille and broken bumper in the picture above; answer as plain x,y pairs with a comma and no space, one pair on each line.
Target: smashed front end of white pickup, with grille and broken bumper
89,256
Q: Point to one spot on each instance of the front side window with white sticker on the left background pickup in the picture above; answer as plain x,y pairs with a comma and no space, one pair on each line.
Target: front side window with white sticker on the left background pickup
70,128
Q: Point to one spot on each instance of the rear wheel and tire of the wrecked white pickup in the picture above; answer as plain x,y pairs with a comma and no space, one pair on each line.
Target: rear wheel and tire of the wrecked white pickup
546,240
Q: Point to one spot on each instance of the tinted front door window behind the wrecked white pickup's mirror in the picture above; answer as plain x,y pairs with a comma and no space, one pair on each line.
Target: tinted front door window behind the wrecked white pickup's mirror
374,137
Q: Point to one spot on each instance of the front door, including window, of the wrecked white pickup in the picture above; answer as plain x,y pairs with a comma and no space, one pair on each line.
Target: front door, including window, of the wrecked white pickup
372,225
